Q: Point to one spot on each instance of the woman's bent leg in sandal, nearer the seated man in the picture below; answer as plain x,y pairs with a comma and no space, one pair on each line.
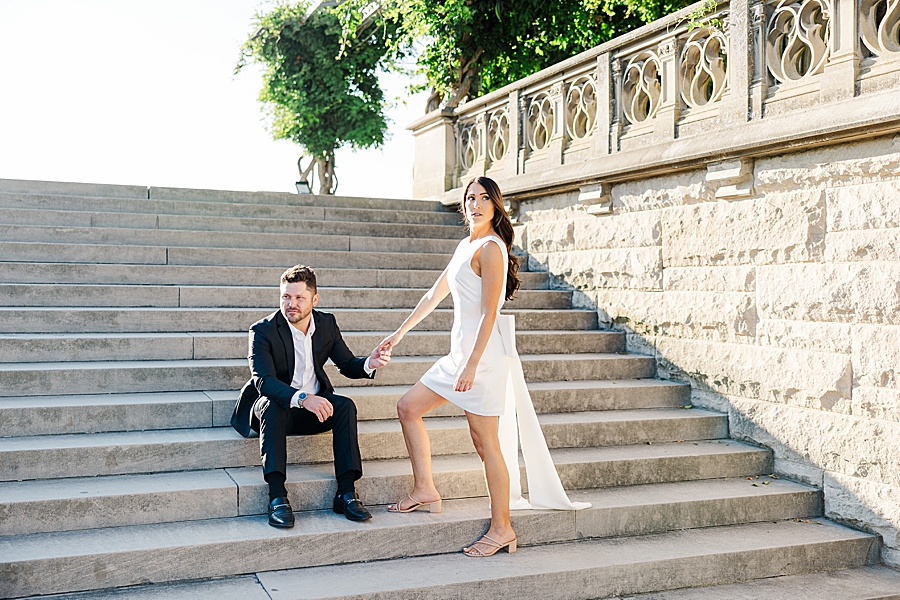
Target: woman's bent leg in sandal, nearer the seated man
410,409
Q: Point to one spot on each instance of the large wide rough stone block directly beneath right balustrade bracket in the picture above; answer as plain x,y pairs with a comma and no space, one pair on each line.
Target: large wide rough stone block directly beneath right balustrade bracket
782,228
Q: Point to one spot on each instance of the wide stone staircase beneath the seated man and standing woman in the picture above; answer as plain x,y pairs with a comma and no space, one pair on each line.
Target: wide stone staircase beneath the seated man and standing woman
123,320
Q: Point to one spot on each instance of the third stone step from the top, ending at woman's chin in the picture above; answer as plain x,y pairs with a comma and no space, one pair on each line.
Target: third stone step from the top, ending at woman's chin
77,218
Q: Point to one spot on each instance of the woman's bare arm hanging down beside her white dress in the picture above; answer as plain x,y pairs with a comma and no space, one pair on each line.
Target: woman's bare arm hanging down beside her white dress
489,263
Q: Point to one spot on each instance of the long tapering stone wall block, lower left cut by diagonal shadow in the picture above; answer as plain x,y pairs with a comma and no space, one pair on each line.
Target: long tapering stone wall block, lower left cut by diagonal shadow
798,378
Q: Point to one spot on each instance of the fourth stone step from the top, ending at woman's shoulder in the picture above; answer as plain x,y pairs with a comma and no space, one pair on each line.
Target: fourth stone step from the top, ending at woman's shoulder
222,239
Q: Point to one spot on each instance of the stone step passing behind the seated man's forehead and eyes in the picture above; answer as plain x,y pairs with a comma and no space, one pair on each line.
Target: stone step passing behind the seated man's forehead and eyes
108,295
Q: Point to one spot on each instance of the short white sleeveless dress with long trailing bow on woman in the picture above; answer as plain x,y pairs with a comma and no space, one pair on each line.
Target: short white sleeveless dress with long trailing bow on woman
499,388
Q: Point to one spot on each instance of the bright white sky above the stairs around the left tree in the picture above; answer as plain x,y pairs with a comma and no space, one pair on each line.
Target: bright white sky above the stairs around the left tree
142,92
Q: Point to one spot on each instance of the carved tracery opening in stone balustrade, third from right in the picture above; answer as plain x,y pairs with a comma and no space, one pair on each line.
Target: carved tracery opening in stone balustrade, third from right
703,74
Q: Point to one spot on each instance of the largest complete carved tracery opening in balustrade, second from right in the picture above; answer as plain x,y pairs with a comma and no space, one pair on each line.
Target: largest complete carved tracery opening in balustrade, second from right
798,39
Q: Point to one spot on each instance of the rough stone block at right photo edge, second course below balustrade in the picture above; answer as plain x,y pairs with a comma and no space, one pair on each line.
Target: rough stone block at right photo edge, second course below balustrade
868,206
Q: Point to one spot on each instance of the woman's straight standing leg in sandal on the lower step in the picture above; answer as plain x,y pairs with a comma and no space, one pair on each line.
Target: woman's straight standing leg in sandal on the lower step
487,444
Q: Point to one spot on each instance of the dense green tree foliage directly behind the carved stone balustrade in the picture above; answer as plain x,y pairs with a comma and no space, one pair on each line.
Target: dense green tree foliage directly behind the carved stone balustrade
472,47
